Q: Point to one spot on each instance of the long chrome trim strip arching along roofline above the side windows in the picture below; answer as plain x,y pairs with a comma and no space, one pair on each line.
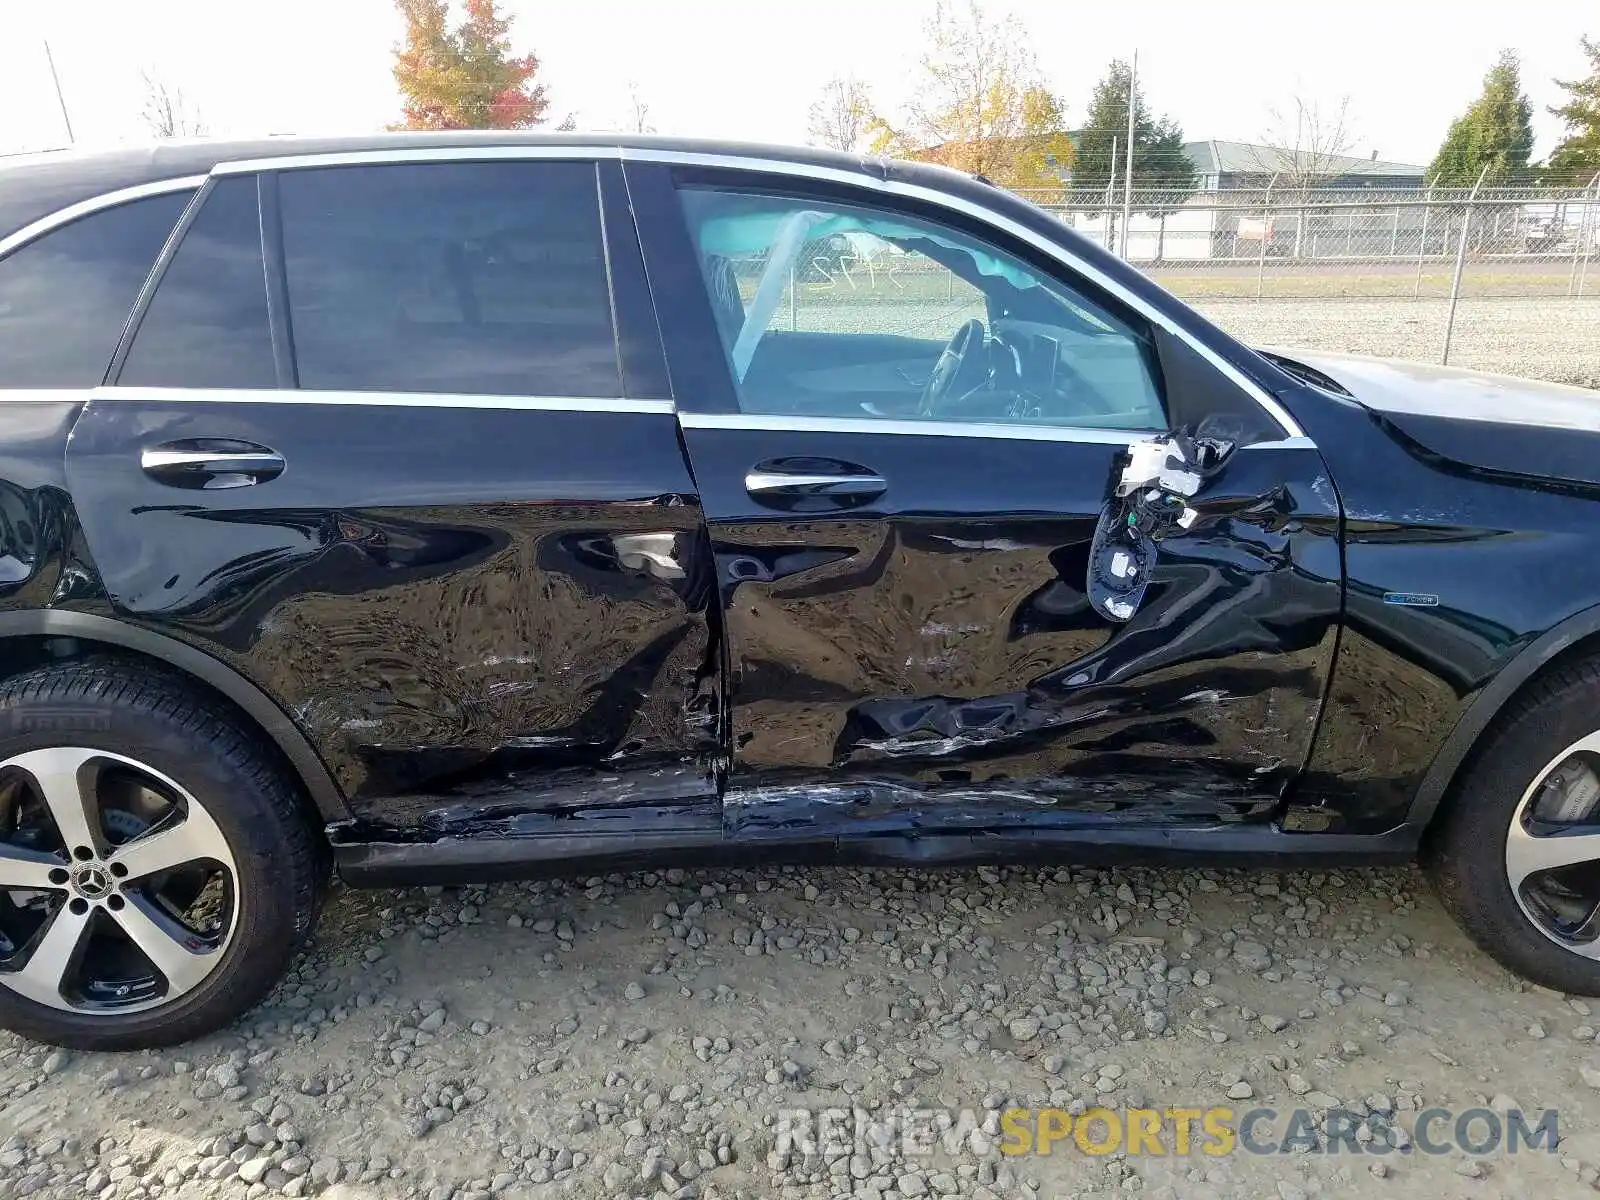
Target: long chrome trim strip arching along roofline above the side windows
796,169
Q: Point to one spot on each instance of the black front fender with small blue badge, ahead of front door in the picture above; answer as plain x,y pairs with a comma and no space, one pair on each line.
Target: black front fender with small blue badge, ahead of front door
1452,575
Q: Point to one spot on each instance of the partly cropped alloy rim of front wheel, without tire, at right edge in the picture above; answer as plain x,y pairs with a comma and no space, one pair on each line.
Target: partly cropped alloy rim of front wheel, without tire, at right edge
1553,849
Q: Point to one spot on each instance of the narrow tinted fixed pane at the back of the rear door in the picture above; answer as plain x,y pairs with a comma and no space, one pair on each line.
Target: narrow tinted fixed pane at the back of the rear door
207,322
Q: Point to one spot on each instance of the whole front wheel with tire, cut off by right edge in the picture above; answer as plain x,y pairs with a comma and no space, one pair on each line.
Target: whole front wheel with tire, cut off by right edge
1516,857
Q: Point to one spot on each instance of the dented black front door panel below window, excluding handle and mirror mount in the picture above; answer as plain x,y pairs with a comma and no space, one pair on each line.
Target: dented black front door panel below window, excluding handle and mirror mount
938,657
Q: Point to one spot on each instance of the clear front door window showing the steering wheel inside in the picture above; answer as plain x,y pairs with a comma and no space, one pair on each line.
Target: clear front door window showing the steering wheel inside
858,313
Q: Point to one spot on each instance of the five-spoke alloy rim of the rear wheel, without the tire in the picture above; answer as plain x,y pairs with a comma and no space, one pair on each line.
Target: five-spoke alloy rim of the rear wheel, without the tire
118,890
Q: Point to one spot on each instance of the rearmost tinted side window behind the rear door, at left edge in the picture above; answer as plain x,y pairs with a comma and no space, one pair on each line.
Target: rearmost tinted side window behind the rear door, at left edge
66,295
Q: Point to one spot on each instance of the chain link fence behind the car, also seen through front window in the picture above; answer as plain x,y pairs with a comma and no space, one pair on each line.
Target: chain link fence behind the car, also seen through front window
1498,281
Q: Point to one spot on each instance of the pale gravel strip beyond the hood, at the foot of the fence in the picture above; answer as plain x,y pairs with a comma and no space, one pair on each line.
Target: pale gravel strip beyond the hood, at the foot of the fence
1546,338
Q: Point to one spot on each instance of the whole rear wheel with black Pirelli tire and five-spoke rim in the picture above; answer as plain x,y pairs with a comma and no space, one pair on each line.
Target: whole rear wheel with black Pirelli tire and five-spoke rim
156,871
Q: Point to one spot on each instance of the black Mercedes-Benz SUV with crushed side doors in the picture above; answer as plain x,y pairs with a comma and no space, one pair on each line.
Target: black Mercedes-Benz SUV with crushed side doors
446,508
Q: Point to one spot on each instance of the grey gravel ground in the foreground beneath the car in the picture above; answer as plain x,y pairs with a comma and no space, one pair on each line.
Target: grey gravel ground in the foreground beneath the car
642,1036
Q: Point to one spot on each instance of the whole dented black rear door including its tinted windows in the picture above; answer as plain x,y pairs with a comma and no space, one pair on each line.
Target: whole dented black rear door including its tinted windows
423,487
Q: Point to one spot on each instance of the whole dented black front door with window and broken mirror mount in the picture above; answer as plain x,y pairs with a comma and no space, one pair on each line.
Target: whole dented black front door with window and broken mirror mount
1068,574
